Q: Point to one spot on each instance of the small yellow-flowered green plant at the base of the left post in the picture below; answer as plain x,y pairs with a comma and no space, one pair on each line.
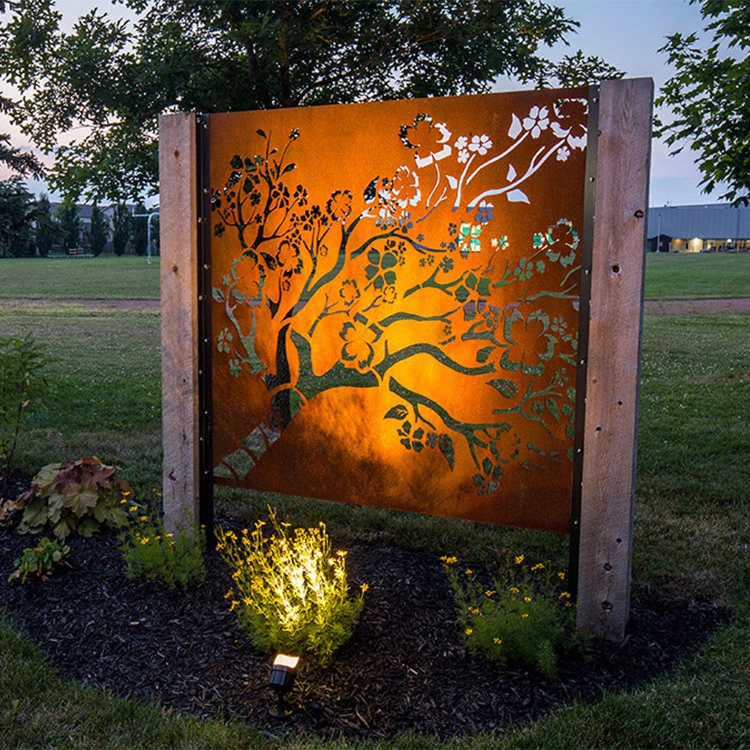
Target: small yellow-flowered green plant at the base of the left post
149,550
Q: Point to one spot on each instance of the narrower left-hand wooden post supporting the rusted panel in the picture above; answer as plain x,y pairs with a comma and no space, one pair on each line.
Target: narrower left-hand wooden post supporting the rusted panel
178,198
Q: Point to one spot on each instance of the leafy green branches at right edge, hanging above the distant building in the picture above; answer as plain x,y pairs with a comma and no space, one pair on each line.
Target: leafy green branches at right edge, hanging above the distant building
710,97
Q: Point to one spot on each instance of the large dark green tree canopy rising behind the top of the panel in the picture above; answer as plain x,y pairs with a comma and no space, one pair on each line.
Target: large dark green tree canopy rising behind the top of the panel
116,77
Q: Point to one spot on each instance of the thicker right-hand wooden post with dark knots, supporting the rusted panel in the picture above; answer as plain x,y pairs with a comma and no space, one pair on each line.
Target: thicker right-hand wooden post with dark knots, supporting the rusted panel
613,363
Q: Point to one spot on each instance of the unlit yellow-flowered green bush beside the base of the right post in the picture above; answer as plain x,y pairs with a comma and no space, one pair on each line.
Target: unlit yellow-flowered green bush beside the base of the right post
523,617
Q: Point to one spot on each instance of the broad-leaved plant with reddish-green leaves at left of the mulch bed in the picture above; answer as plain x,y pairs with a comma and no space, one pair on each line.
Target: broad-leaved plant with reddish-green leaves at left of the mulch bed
77,496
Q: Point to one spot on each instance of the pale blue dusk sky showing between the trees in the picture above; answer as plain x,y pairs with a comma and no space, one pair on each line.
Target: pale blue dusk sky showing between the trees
626,33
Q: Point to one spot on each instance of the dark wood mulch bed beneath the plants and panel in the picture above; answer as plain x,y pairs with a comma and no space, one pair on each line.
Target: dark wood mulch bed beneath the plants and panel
404,669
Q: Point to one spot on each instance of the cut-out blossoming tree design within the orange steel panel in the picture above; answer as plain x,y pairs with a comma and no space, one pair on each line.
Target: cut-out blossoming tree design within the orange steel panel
369,268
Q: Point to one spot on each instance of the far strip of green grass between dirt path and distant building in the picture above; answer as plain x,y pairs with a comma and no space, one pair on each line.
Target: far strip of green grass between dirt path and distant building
697,275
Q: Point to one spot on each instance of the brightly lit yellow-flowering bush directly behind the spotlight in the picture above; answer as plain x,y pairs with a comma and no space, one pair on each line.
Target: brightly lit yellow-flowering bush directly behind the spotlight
290,591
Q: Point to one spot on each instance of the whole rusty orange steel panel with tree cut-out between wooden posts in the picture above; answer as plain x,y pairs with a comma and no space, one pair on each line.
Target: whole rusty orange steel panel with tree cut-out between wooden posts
395,302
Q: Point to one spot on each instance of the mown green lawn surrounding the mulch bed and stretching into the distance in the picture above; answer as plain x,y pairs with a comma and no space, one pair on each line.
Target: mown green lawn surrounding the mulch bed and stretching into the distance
692,529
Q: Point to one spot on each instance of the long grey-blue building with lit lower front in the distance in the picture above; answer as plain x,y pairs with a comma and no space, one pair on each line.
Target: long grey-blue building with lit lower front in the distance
698,229
